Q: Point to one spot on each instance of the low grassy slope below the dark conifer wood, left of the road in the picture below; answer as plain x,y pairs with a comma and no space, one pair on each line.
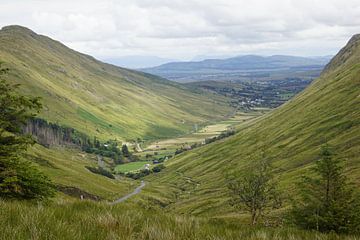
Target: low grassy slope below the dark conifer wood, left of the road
67,167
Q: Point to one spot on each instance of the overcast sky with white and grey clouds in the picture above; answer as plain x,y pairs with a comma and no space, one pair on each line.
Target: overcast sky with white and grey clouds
182,29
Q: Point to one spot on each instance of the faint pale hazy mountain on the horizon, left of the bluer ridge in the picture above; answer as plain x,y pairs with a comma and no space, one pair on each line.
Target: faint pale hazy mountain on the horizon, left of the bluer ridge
135,62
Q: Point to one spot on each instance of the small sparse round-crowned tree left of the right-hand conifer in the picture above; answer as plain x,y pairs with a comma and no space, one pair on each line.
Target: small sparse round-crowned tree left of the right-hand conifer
255,189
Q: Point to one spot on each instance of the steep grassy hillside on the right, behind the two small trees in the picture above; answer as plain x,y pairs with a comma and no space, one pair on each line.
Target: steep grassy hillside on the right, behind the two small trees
327,111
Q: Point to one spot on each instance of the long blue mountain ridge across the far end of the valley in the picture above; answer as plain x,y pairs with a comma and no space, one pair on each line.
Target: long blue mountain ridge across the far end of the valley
238,68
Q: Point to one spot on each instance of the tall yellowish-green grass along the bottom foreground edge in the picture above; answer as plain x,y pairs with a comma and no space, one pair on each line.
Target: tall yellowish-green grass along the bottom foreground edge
90,220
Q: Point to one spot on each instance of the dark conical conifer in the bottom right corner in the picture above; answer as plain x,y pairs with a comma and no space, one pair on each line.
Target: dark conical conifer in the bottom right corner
327,201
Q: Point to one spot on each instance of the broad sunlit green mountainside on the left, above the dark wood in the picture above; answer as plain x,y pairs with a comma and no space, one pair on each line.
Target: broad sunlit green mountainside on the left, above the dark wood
97,98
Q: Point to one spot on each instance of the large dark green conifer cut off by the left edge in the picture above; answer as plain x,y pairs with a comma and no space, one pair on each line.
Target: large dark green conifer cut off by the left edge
18,177
